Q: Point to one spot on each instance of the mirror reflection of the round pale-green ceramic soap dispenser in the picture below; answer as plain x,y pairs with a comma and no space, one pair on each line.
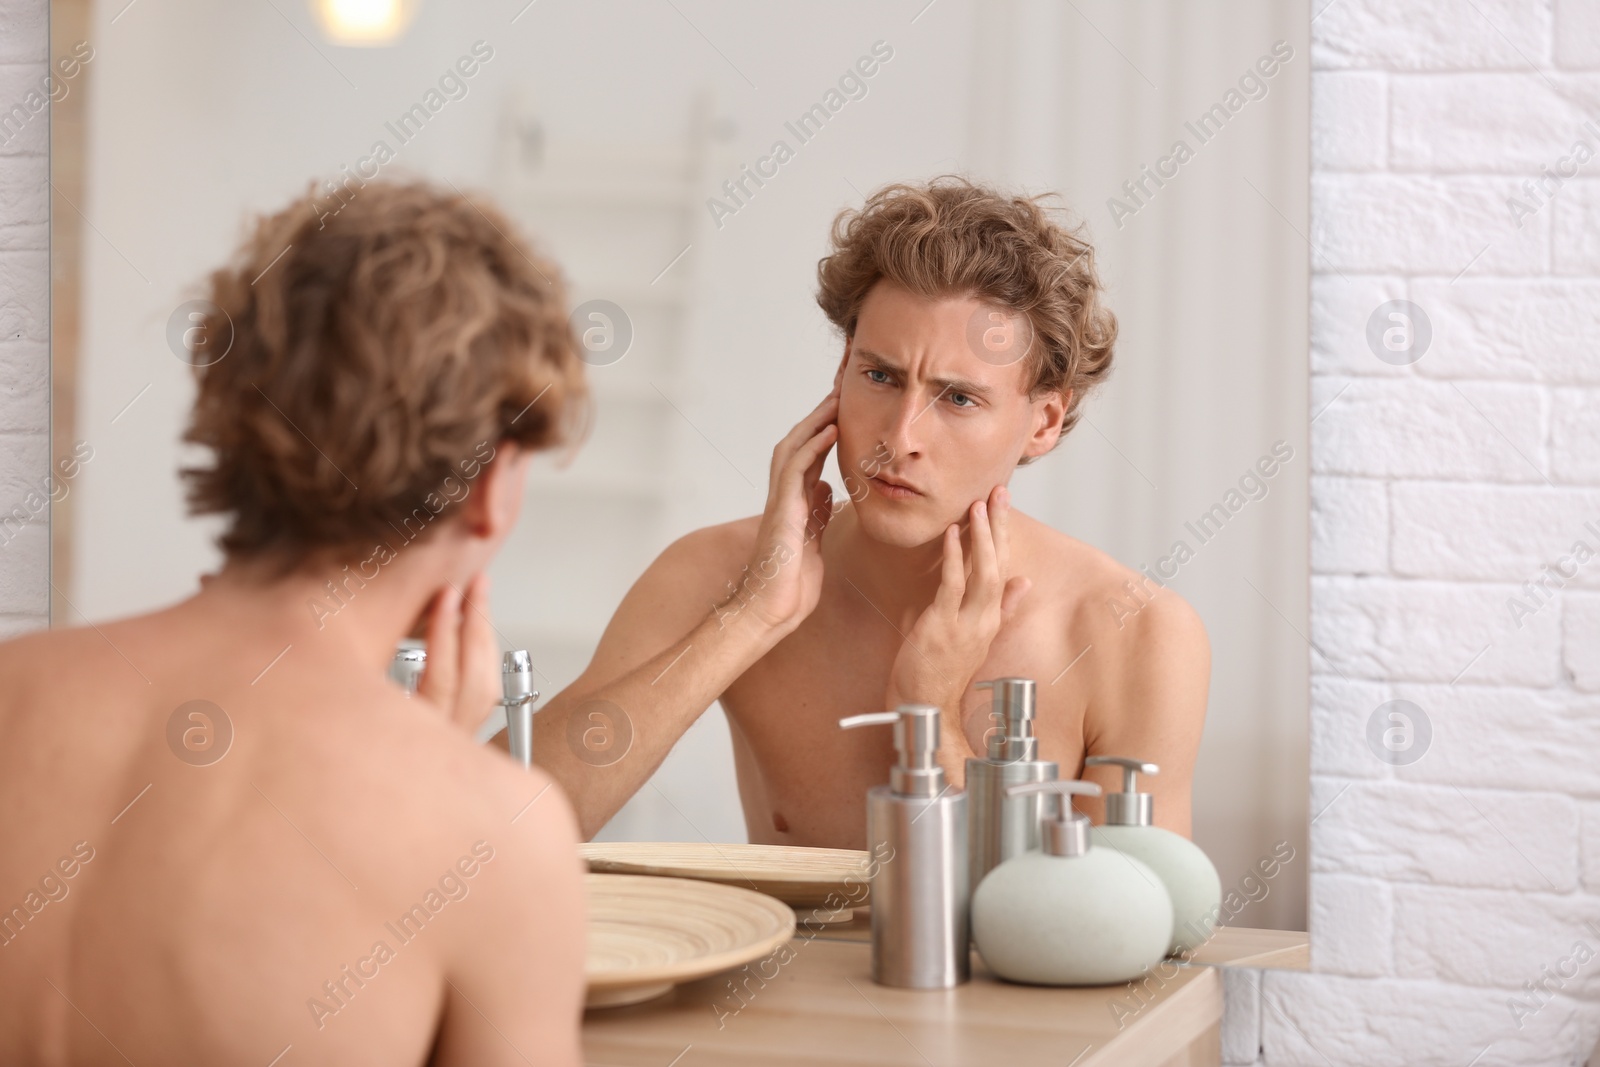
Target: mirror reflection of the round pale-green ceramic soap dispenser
1190,876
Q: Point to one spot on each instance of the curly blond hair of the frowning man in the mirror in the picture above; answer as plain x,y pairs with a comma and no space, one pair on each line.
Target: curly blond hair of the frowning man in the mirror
954,238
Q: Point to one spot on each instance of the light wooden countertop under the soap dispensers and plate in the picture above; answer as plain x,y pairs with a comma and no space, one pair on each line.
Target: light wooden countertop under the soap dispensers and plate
815,1004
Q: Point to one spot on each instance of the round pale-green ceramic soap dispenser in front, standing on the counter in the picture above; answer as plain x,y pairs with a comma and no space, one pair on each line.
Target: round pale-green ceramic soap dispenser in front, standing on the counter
1071,914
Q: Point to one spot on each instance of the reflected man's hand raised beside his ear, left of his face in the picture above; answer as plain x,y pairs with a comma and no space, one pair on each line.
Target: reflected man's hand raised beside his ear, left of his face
783,581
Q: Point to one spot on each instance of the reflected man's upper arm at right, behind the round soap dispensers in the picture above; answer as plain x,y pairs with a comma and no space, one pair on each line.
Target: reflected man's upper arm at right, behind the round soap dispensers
1151,706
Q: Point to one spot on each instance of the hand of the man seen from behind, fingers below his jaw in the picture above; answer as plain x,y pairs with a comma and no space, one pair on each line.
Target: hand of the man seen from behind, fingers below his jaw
462,677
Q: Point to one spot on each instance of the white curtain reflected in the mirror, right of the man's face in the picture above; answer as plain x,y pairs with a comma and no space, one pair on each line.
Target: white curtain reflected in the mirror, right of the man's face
1209,279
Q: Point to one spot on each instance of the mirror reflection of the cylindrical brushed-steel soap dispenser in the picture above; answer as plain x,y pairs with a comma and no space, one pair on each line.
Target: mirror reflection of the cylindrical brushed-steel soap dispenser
1001,828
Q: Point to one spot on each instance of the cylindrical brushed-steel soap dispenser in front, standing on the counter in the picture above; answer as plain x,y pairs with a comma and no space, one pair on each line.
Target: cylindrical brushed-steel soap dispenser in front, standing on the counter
918,829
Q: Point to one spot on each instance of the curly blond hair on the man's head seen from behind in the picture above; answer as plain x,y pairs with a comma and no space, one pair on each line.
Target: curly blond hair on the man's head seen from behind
377,354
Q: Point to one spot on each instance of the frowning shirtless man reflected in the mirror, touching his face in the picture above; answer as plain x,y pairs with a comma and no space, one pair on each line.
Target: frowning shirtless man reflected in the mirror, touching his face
974,329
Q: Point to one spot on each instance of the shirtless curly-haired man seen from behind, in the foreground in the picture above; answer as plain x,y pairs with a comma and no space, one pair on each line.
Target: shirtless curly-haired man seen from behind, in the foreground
228,837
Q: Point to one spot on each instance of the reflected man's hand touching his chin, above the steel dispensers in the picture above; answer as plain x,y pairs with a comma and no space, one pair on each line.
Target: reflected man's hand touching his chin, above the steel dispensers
953,636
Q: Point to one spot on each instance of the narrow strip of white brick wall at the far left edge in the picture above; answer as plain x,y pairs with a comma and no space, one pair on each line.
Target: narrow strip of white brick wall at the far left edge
25,318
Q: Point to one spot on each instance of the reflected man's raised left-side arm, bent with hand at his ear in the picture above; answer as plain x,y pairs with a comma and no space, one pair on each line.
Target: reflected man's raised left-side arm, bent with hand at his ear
681,637
